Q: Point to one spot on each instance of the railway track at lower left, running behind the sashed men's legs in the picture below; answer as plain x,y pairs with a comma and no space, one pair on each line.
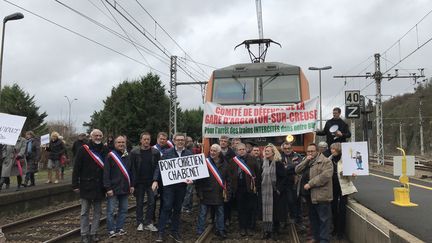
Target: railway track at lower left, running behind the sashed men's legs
55,226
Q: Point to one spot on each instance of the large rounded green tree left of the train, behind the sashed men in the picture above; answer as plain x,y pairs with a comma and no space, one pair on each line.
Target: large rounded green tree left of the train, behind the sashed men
133,107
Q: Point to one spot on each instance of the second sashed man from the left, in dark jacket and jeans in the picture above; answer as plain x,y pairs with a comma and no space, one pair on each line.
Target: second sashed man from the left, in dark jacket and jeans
119,183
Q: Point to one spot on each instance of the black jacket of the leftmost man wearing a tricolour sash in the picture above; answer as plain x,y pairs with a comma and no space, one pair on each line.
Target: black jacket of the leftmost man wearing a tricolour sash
87,176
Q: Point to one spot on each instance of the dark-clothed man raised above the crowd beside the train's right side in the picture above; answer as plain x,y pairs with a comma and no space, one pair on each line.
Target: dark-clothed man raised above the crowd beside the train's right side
335,129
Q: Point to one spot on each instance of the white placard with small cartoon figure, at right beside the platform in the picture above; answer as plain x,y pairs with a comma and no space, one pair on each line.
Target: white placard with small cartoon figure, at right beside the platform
355,158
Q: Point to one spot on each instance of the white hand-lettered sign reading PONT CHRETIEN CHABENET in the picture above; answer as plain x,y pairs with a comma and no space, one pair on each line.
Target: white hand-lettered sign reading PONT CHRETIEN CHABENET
177,170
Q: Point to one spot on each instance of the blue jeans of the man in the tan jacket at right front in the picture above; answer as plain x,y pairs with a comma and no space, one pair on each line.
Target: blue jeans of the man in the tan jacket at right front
321,218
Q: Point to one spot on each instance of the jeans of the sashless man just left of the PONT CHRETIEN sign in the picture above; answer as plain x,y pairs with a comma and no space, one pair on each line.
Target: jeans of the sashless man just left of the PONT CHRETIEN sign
140,191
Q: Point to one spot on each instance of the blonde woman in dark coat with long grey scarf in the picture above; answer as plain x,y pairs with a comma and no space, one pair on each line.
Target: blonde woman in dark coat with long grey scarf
272,186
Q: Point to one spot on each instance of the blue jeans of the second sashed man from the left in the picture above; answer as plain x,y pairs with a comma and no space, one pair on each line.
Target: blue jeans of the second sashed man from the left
121,214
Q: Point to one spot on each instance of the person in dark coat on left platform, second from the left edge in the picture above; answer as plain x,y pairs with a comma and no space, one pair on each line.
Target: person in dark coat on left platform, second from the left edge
33,156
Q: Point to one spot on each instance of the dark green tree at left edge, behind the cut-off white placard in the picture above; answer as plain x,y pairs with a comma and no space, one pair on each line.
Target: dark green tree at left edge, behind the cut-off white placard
14,100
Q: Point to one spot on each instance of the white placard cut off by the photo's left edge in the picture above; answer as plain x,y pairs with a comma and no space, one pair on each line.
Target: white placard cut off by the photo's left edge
10,128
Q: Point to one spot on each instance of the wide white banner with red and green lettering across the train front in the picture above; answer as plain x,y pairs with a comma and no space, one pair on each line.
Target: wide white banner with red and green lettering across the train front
259,121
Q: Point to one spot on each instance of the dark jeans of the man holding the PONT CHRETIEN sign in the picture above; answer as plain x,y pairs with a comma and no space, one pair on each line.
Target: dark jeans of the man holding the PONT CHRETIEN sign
172,202
